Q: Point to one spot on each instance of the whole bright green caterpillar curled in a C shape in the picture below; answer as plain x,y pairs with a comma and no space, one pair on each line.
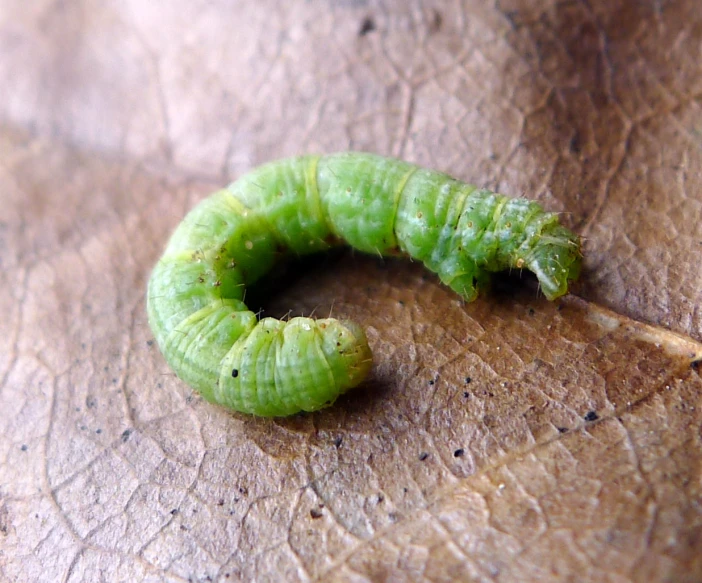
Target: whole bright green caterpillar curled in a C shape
306,205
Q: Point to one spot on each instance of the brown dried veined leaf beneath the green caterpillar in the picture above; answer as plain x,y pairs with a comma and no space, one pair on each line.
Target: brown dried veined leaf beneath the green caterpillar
506,440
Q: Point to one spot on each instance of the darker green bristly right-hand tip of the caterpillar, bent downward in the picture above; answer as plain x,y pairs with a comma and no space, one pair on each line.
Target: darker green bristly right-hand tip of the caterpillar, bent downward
556,260
